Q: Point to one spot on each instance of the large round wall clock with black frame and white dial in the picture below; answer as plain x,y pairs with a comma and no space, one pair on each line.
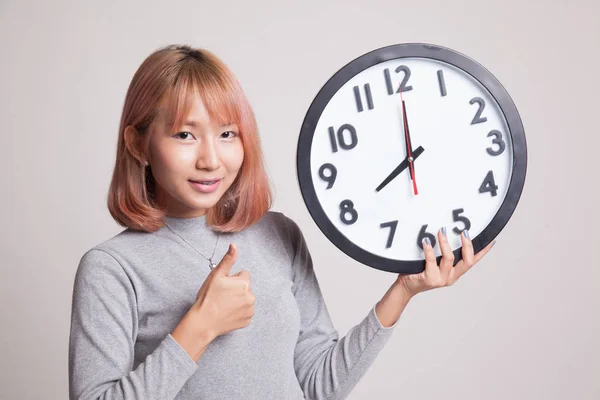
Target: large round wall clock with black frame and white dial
404,140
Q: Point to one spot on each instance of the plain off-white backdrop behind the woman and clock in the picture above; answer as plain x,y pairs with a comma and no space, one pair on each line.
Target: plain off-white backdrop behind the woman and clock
523,324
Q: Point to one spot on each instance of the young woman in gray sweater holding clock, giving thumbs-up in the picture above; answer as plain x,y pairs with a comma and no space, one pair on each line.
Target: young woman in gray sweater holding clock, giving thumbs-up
206,293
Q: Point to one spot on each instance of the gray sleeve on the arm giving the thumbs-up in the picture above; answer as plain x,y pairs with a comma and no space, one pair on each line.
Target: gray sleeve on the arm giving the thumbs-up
102,337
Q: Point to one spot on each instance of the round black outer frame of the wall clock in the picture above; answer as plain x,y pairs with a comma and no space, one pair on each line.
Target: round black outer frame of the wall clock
459,60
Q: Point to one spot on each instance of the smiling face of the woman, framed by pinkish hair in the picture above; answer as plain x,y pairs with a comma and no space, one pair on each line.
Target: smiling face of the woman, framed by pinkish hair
195,165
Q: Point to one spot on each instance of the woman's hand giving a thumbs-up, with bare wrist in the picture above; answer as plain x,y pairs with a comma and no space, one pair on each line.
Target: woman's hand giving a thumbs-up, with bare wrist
224,303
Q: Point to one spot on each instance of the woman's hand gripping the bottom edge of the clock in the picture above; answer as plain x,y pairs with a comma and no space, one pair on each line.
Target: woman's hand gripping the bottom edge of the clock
435,276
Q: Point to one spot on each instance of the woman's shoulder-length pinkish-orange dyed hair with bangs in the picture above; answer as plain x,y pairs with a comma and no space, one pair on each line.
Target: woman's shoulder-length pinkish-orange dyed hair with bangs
170,76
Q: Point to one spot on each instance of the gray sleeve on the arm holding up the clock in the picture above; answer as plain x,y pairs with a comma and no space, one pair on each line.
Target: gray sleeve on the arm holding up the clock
328,367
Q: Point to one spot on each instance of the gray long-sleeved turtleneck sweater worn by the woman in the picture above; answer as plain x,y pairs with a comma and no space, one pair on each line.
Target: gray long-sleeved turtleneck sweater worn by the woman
132,290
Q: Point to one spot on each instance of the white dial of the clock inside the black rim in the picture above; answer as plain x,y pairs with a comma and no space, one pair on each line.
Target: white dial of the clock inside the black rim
463,172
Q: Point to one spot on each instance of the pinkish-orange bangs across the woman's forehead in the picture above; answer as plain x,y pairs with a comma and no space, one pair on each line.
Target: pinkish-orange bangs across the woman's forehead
217,92
